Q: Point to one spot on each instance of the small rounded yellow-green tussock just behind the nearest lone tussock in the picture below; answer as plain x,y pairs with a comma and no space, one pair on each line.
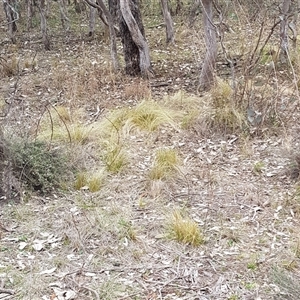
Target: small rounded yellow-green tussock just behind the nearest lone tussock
165,164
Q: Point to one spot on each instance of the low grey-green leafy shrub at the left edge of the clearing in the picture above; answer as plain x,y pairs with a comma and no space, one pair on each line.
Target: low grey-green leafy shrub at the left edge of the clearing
38,166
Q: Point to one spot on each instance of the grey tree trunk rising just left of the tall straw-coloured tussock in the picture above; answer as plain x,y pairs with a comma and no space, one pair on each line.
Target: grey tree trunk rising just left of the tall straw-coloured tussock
209,64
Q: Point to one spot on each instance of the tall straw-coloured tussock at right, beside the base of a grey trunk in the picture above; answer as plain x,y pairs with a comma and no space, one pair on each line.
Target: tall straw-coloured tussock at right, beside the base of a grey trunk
227,115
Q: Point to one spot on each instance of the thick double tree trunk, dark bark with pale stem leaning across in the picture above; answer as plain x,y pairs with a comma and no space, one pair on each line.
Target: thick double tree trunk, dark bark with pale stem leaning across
136,50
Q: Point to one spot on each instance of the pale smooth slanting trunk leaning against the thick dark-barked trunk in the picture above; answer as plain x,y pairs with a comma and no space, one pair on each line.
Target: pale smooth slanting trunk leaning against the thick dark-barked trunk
138,38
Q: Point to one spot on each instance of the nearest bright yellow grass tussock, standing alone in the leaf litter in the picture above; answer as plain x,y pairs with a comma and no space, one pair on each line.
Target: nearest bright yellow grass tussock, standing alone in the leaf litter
184,230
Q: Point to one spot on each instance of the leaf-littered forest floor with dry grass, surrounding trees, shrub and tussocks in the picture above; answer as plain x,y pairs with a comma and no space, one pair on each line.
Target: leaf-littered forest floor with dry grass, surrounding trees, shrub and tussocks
114,243
